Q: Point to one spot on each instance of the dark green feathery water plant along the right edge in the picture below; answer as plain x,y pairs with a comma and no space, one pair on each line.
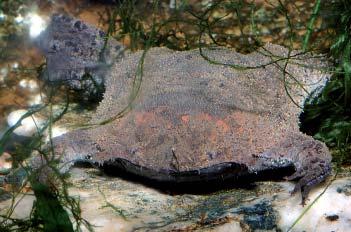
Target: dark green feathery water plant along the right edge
327,116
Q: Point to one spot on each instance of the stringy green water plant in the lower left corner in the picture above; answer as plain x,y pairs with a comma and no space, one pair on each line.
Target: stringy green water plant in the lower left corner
53,208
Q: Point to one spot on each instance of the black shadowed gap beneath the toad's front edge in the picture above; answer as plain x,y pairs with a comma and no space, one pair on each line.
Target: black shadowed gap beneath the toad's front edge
205,180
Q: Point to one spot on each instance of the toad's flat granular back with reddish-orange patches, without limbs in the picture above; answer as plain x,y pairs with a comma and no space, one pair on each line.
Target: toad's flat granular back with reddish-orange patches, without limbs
190,114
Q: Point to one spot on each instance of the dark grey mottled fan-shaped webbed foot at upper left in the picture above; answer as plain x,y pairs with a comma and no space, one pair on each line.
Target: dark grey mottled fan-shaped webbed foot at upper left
76,54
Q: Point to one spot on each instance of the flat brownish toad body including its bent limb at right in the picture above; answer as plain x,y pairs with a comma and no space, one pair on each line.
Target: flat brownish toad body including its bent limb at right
194,121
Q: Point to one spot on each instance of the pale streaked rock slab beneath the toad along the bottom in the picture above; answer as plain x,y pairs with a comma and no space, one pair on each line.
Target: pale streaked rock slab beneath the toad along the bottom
120,205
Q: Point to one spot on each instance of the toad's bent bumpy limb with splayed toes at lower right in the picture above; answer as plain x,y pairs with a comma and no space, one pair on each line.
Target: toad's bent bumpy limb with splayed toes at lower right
311,159
